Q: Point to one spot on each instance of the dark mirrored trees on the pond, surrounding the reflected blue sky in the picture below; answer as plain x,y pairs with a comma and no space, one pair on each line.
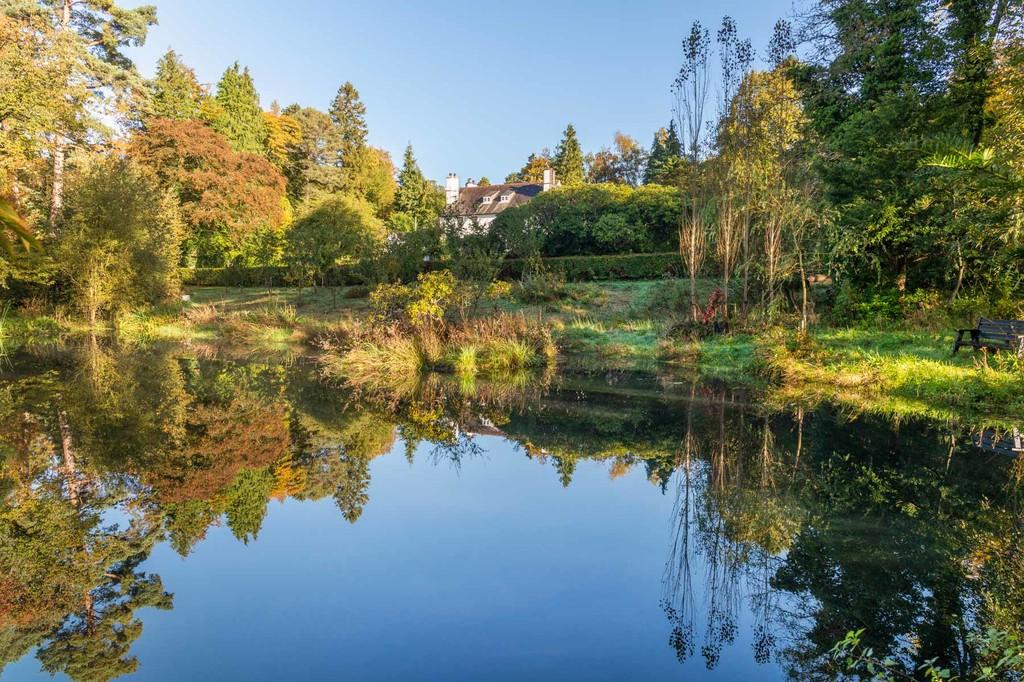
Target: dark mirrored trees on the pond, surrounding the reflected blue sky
789,529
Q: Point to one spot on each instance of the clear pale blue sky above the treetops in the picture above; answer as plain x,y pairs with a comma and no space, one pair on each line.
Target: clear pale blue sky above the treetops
475,87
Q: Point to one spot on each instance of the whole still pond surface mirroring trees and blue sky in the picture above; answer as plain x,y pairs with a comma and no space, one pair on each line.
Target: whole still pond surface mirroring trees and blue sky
169,518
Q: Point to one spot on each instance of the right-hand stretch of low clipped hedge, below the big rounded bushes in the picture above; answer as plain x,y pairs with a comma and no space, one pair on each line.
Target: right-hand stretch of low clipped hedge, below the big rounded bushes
591,269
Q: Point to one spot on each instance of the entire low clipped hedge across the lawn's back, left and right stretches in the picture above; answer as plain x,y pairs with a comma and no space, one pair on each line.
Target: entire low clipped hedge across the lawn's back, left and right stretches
575,269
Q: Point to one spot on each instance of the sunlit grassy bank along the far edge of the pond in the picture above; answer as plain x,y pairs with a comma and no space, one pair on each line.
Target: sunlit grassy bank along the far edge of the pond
615,326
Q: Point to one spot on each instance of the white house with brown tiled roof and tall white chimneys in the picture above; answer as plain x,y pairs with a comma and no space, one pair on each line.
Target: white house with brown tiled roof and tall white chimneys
479,205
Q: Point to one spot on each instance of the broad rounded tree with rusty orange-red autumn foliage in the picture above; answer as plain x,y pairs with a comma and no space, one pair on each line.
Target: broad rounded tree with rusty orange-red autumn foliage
227,197
